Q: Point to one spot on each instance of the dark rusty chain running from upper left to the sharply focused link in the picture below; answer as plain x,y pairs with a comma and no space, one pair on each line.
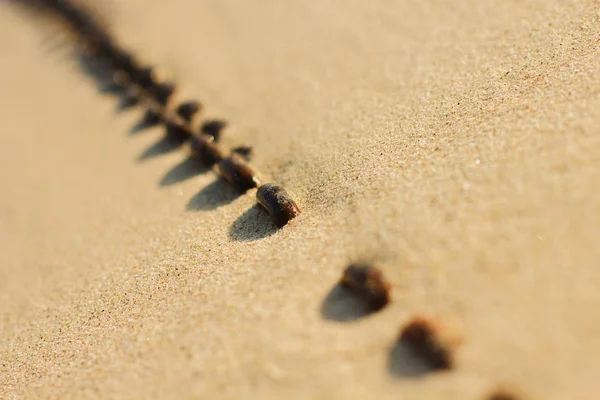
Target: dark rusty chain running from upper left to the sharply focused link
143,87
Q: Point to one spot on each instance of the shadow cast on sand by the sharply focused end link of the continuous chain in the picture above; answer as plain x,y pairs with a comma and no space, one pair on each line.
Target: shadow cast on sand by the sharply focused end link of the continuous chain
254,224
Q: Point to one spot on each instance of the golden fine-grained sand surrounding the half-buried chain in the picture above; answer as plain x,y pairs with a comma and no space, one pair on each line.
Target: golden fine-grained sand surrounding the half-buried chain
455,143
